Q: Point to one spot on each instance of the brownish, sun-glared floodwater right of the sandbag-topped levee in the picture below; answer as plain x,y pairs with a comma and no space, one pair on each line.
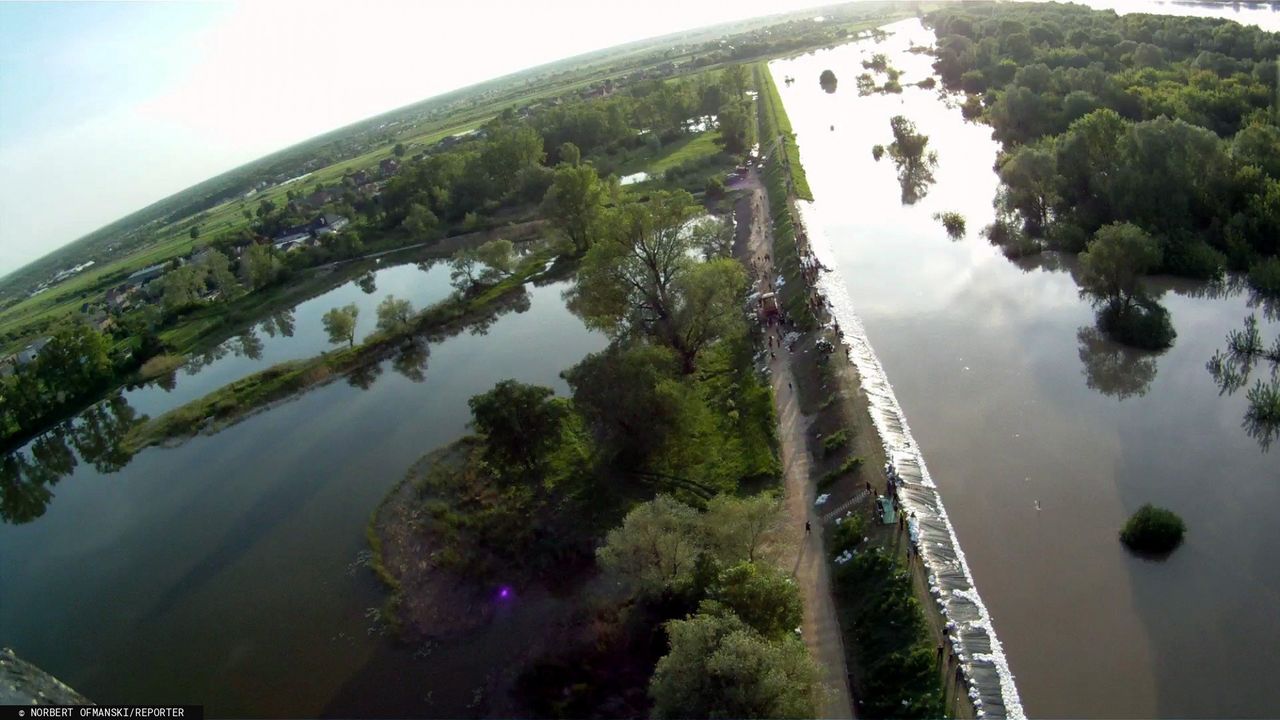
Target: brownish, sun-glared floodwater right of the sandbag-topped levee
1044,439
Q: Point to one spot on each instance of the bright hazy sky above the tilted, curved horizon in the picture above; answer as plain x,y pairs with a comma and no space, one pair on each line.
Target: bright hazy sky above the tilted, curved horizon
109,107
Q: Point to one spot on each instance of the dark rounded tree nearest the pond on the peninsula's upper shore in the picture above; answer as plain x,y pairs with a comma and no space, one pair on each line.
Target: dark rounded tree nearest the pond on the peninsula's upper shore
520,425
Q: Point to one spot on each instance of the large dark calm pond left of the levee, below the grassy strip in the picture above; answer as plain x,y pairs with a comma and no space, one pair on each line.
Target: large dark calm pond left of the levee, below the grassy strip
228,571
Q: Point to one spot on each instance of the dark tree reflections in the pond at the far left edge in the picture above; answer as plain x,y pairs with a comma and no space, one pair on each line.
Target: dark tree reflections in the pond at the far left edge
29,475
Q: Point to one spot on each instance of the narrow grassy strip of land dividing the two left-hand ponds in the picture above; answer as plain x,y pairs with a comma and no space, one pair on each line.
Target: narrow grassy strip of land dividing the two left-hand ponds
240,399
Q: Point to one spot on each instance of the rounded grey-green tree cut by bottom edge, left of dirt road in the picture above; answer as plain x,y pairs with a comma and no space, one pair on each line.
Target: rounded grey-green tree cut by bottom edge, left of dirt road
721,668
